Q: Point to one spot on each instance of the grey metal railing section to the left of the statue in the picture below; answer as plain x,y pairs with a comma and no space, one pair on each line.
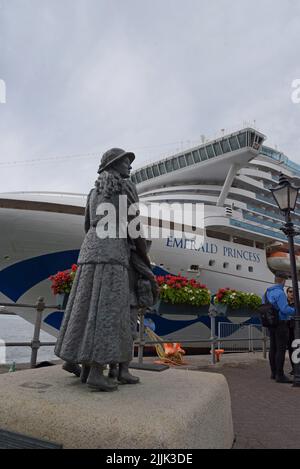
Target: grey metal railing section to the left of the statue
35,343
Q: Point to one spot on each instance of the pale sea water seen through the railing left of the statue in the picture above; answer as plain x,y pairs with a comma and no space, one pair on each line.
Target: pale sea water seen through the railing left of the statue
16,329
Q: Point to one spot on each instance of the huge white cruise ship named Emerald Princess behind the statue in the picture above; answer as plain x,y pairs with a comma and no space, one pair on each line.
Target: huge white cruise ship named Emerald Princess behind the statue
41,233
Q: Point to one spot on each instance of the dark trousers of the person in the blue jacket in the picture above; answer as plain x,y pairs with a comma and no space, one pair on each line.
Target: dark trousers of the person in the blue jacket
279,337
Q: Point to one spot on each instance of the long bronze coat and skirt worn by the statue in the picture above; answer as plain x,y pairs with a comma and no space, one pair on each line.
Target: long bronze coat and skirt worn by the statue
97,326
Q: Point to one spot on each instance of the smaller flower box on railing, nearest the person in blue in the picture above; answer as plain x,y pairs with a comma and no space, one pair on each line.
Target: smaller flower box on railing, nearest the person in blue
235,299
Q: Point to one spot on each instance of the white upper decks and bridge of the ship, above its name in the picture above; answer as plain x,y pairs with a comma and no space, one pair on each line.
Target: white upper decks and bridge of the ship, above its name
231,176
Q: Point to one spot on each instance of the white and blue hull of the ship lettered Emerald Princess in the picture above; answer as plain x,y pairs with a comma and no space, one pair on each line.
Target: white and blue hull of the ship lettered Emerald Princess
35,245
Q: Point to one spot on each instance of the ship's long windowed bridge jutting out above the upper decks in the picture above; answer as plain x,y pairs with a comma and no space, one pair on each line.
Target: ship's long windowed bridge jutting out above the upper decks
210,161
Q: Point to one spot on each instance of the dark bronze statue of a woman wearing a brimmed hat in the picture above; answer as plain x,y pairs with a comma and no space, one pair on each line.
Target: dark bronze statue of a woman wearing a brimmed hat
97,326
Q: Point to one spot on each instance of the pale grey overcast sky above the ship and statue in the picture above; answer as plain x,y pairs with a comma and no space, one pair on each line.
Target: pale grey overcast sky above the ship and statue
146,75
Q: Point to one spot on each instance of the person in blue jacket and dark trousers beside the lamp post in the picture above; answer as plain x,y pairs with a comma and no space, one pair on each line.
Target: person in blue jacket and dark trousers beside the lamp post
279,335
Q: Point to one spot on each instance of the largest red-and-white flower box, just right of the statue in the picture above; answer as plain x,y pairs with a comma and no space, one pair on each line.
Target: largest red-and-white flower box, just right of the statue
181,290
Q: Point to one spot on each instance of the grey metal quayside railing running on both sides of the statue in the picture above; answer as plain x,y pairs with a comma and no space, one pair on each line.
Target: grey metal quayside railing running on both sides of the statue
140,342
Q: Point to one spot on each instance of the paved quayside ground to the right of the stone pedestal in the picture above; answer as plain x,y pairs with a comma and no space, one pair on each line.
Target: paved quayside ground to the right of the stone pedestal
265,414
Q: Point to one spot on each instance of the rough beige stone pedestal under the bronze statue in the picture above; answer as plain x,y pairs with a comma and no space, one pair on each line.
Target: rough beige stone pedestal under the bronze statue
172,409
